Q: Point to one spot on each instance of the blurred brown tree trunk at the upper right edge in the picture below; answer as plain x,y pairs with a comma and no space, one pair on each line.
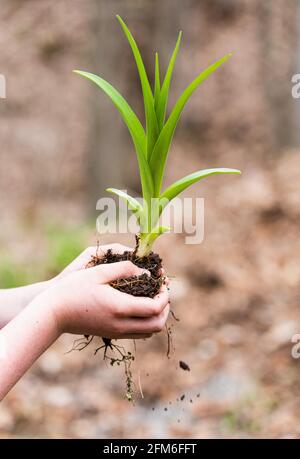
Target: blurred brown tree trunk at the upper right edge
278,32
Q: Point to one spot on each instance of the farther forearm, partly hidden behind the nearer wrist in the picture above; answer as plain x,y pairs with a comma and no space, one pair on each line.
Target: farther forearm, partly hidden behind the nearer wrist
13,301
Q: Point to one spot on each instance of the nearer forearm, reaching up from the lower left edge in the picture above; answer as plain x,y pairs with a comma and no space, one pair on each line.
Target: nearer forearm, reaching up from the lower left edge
23,340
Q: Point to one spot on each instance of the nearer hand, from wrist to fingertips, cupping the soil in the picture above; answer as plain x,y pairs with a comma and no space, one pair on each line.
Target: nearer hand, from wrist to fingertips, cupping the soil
84,303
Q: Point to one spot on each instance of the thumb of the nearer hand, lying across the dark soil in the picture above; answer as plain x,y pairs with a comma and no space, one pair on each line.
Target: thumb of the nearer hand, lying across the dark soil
113,271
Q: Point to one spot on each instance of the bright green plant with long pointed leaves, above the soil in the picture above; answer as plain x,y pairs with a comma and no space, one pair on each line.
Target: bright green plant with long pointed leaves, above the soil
152,143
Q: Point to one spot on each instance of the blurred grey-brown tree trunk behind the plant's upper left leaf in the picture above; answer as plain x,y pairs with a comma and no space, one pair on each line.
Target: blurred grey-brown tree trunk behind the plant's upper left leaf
108,146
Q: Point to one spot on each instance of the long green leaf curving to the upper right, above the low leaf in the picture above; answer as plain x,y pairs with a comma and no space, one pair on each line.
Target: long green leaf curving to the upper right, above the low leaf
160,151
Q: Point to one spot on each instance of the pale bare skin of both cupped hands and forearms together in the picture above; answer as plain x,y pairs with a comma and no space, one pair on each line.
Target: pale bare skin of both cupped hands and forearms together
78,301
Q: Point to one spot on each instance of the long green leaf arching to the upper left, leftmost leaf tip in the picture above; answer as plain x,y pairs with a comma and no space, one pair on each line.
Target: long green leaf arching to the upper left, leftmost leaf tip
134,126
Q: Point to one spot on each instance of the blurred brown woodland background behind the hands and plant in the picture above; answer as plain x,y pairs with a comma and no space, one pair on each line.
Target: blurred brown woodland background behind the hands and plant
236,294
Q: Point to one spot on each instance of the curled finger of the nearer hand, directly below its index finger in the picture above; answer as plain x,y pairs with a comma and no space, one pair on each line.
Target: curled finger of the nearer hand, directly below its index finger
147,325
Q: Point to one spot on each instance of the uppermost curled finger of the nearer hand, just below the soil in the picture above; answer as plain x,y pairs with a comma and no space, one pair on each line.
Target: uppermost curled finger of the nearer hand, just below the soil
134,306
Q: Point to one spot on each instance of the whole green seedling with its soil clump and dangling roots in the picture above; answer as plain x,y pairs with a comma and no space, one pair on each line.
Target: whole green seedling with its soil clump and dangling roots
152,144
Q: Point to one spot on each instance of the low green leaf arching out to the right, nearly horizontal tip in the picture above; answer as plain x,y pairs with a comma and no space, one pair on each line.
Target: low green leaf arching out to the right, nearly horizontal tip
180,185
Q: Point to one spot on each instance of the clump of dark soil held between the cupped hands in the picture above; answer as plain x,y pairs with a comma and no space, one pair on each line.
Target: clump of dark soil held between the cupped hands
143,285
